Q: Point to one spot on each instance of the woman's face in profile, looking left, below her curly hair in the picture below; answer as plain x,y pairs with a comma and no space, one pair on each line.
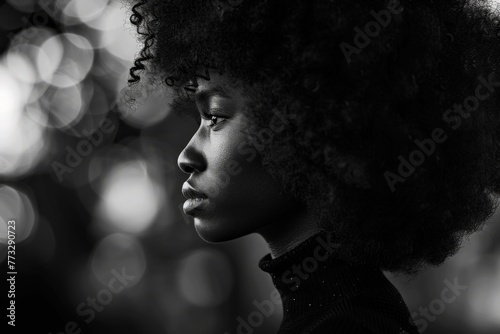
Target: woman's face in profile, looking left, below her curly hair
224,167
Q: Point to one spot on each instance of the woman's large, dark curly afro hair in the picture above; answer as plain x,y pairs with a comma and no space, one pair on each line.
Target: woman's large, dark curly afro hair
396,145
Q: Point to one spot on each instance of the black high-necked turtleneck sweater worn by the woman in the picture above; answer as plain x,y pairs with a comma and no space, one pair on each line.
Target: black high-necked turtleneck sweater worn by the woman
323,294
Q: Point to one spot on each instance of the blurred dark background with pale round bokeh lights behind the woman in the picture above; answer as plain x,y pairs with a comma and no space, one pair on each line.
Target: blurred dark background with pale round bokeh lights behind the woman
102,244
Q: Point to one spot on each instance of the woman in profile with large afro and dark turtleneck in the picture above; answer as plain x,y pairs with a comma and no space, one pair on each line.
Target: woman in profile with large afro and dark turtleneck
353,136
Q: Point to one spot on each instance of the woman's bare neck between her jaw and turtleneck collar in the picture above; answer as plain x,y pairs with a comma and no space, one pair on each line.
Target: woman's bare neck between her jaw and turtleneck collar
289,233
